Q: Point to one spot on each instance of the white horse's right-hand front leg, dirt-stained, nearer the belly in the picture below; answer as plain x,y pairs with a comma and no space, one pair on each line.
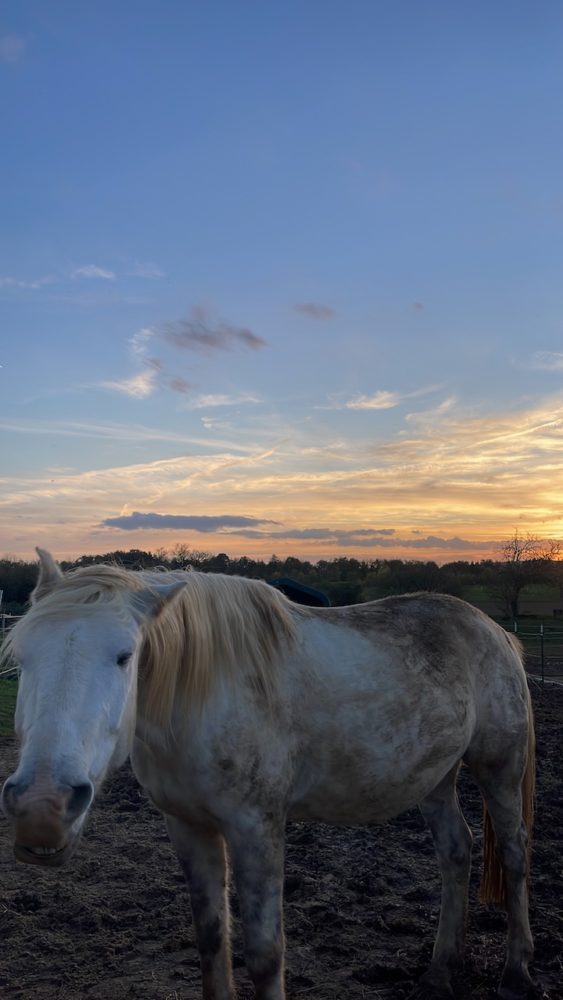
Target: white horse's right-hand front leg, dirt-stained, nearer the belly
256,849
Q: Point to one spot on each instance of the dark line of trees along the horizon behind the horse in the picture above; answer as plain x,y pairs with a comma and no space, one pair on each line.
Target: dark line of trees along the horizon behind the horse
523,561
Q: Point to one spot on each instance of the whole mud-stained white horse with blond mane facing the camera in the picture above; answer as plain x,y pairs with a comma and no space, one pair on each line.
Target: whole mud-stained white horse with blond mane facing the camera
241,710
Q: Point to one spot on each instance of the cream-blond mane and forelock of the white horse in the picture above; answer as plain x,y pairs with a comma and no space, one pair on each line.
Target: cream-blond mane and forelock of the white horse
214,628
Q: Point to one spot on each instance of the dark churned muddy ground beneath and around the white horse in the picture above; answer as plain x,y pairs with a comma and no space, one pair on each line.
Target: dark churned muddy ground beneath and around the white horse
361,905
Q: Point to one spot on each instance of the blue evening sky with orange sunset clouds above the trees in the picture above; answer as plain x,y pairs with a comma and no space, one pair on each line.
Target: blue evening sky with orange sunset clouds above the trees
281,277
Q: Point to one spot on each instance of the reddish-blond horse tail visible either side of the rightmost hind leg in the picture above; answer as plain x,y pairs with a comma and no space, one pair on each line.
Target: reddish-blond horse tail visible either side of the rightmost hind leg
493,886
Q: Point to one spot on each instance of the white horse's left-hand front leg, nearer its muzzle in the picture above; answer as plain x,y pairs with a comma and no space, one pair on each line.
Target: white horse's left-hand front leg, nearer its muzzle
202,858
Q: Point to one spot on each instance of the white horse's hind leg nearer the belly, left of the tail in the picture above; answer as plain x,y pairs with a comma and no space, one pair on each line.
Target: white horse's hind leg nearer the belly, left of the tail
452,843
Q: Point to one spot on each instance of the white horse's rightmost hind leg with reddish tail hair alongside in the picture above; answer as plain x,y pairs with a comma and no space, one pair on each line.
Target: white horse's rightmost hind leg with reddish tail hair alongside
507,789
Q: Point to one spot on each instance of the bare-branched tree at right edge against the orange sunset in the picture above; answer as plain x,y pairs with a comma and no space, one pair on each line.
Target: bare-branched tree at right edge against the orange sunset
524,561
